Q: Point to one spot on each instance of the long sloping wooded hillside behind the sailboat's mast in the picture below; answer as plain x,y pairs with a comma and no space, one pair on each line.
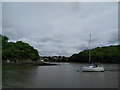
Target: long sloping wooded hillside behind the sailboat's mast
108,54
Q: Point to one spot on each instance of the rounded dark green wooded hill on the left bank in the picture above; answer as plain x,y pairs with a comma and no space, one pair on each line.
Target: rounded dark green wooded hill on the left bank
18,50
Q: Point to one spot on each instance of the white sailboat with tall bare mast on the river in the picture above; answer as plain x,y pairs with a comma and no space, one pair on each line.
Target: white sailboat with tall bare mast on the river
92,67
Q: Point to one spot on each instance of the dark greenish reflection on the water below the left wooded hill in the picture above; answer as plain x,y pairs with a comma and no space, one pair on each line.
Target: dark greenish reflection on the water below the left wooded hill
18,76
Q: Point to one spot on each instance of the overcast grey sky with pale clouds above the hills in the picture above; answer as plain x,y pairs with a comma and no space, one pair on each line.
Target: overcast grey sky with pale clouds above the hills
61,28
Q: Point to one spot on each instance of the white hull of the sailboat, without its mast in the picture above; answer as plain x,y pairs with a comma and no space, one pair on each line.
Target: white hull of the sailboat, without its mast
92,69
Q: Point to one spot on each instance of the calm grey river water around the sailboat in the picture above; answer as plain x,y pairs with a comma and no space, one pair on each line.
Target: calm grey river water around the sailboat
63,75
